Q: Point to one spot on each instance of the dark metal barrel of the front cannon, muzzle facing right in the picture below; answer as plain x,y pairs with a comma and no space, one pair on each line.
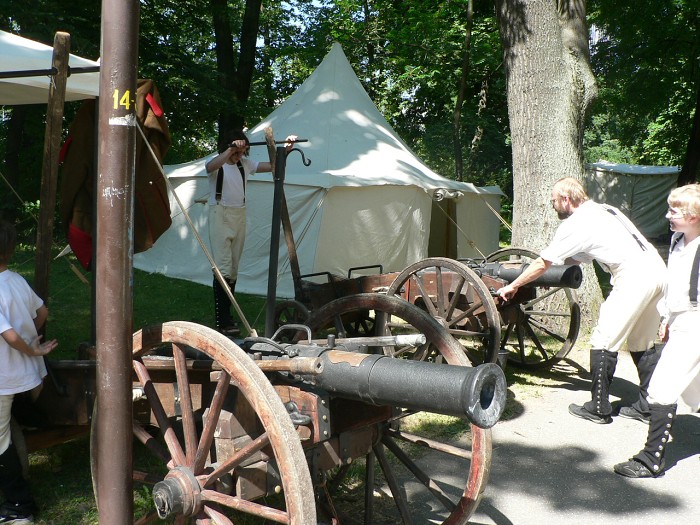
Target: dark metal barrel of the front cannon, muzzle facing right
478,393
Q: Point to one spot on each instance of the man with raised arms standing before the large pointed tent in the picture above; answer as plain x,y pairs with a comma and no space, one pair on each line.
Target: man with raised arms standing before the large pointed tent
228,176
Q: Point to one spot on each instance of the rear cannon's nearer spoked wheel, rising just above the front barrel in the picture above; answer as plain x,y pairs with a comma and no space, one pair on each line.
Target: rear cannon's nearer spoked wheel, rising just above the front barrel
454,295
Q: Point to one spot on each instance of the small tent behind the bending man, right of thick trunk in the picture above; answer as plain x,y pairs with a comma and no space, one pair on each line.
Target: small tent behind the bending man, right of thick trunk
638,191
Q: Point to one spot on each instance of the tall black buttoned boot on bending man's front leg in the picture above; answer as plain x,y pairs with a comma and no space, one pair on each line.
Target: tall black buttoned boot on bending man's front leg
598,409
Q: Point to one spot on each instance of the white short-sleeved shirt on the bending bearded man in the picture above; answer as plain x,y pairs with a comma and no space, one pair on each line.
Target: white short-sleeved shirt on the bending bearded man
593,232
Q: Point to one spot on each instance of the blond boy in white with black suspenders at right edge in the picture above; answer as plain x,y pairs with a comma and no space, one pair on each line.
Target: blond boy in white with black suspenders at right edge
679,366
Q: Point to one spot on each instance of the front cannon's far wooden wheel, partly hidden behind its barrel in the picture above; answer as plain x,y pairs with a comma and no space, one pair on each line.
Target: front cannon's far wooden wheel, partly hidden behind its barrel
447,475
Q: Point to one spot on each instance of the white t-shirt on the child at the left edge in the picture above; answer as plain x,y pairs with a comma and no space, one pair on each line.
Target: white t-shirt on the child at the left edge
18,307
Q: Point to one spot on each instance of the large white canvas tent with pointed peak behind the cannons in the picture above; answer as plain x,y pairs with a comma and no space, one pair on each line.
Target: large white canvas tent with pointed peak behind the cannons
365,199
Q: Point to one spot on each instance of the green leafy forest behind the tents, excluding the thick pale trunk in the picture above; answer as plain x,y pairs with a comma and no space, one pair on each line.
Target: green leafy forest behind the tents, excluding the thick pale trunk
435,69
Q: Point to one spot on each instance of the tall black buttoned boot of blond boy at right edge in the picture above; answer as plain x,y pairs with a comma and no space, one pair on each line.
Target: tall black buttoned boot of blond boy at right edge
649,462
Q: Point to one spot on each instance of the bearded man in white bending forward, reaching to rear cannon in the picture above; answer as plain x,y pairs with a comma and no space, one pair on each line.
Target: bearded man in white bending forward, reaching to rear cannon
592,231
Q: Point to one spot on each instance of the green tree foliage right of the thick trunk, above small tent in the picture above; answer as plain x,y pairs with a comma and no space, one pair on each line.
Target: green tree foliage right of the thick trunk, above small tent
646,58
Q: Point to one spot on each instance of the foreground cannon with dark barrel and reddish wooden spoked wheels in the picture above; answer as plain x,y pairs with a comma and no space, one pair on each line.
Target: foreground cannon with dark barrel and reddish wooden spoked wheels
270,429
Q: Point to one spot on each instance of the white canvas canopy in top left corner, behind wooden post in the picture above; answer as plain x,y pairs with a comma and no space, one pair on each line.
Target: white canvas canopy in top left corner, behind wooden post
21,54
